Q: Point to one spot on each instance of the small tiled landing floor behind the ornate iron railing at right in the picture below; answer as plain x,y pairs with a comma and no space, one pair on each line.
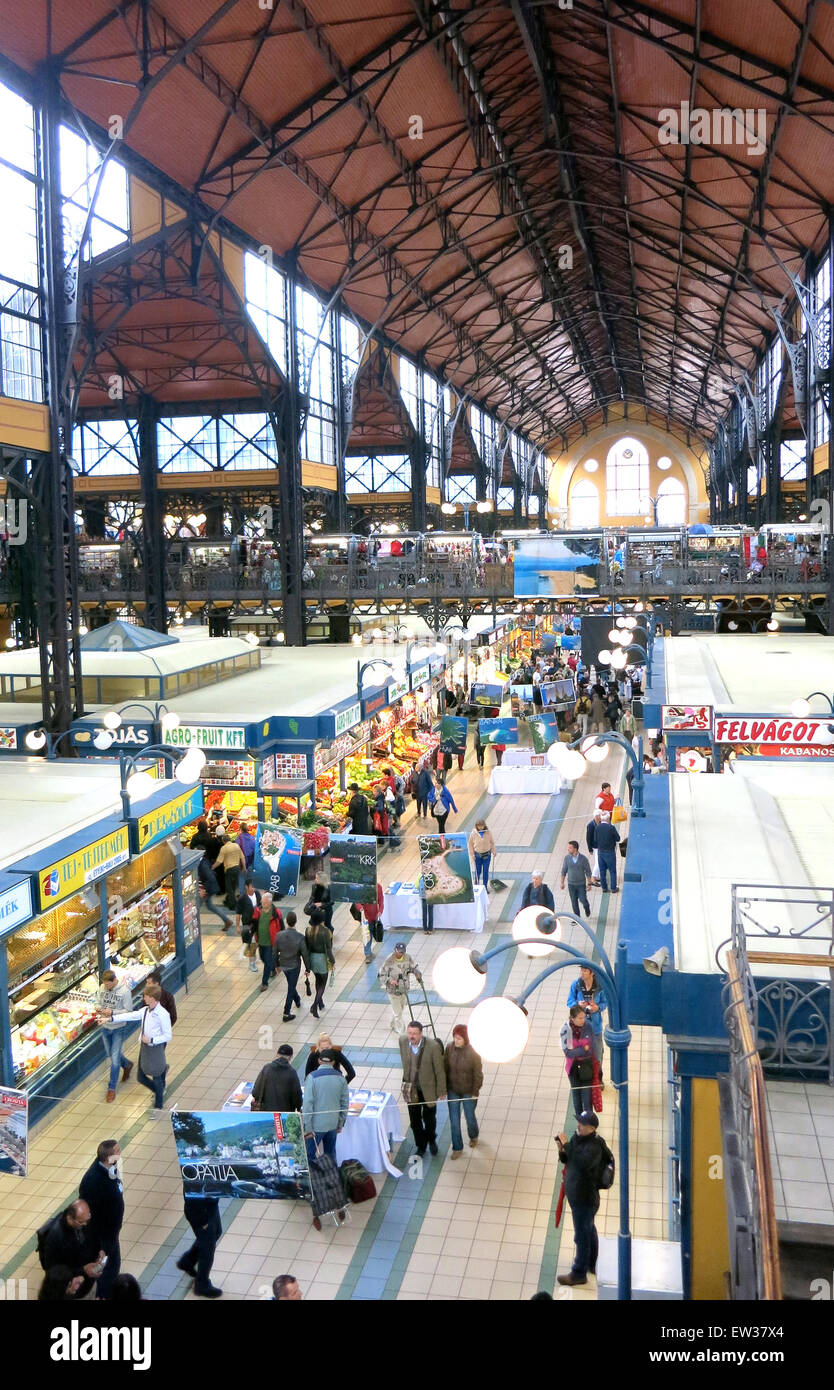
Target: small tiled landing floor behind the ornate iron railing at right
801,1131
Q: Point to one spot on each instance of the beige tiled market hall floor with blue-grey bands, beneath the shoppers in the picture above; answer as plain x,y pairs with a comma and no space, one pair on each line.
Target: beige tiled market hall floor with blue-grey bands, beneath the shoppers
480,1228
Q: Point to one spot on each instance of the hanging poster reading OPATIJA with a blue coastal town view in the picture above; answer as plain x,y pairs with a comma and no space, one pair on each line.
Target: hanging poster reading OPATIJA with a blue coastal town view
261,1156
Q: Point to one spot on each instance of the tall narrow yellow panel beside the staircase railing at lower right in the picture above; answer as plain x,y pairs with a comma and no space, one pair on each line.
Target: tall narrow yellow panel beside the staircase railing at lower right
711,1248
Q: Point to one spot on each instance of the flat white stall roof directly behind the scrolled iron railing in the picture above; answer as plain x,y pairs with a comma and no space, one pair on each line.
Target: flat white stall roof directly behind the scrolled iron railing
767,826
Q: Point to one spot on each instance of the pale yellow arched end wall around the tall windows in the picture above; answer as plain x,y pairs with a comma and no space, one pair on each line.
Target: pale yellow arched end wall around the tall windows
568,469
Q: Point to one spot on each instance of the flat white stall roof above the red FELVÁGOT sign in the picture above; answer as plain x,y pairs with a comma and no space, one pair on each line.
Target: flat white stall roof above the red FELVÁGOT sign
758,673
